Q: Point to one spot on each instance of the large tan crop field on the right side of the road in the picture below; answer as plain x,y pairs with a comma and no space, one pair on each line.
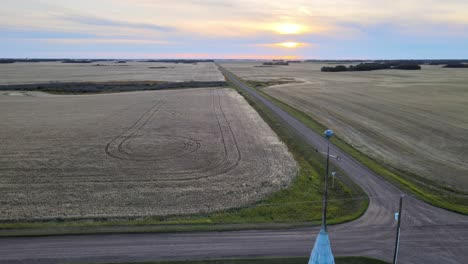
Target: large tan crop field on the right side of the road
415,121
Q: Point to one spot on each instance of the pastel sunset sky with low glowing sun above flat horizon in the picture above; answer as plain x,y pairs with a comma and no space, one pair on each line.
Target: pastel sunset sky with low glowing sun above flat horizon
234,29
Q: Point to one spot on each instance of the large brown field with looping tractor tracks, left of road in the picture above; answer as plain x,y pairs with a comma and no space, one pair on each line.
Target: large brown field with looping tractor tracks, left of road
135,154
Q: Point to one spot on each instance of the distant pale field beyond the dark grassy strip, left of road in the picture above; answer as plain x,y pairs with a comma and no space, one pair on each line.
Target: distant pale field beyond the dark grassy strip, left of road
44,72
